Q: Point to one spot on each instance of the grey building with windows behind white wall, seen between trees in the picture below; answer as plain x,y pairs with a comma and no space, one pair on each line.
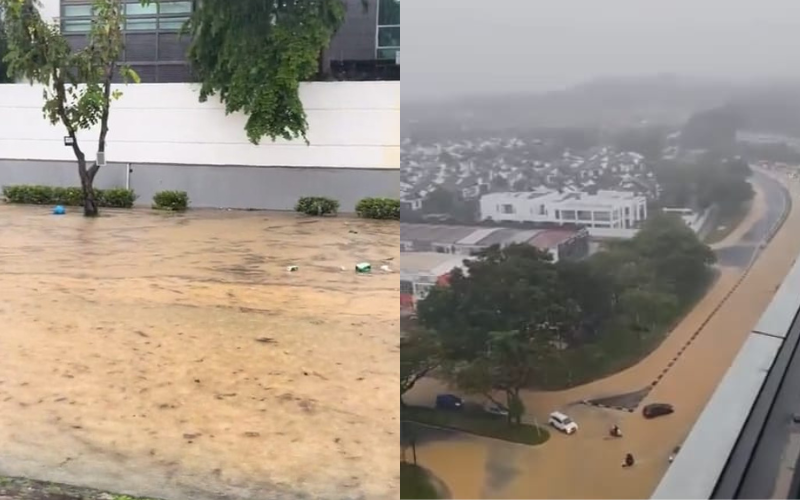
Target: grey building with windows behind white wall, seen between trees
366,47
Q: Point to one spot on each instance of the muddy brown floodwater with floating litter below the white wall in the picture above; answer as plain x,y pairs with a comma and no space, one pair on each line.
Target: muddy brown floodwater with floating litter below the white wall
175,356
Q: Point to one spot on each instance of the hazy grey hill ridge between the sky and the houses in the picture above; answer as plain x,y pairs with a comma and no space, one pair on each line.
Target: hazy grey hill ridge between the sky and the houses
610,103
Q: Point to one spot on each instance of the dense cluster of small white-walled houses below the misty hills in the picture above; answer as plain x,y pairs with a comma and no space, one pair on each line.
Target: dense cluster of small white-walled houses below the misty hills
472,169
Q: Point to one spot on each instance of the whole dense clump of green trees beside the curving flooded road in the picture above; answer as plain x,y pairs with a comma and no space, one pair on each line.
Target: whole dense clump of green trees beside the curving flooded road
516,319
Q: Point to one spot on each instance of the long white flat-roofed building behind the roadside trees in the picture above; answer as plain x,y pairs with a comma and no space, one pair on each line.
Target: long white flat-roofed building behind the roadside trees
606,209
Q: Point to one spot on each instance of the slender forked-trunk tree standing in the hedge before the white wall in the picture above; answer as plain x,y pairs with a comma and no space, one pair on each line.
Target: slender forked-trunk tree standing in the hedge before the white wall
77,84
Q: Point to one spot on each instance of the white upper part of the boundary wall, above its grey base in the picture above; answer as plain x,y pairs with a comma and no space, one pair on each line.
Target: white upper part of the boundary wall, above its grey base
351,124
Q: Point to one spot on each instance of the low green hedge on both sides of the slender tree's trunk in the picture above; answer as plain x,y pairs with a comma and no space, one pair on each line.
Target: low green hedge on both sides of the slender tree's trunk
68,196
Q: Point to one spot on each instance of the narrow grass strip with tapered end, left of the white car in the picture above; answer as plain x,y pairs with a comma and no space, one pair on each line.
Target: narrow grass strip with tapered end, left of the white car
476,422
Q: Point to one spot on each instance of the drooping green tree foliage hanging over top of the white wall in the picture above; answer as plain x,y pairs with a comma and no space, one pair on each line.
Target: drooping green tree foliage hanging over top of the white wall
255,53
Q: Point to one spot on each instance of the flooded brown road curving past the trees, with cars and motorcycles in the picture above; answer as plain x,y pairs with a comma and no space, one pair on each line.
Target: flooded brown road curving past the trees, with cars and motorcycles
470,465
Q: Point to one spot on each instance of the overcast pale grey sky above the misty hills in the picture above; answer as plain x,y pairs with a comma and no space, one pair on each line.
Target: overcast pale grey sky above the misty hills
457,47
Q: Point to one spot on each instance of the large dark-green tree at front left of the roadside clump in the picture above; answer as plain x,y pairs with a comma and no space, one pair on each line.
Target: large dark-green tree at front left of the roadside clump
497,323
